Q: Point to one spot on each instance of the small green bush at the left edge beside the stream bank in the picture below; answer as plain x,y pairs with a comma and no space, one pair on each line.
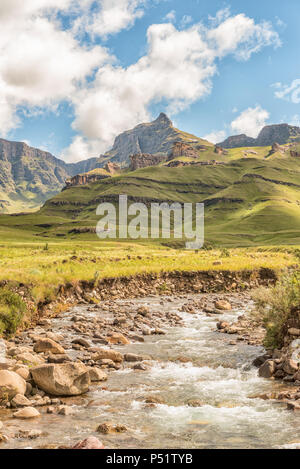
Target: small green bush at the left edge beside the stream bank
12,309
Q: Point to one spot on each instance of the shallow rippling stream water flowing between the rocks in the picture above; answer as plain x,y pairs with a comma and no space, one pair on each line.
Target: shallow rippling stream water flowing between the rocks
190,362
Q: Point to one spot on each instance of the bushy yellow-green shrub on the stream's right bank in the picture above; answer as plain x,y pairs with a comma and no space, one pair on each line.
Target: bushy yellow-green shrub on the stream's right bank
276,306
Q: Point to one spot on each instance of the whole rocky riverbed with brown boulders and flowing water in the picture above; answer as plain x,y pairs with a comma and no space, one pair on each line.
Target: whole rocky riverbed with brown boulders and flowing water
165,372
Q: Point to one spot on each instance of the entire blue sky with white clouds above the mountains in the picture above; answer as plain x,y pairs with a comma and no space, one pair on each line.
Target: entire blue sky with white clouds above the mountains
217,68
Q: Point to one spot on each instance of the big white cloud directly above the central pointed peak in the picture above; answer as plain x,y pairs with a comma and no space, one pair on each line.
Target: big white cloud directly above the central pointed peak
178,68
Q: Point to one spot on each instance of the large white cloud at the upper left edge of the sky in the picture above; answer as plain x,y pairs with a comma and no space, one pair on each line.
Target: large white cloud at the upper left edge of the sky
40,64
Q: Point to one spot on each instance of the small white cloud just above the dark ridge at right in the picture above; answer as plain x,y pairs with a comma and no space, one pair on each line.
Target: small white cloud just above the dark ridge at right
250,121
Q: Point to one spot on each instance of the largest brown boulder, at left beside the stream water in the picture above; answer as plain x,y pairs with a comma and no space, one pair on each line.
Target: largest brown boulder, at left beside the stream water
67,379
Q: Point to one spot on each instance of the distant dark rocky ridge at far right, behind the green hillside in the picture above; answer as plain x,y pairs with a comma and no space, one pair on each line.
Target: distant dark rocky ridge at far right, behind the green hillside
281,134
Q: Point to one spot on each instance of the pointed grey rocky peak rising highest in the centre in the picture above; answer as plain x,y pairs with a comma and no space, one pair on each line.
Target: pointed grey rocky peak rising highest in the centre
156,137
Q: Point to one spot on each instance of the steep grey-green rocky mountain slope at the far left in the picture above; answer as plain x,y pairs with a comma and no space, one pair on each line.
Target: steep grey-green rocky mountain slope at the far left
29,176
